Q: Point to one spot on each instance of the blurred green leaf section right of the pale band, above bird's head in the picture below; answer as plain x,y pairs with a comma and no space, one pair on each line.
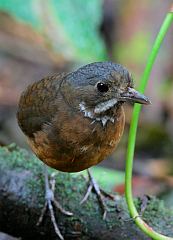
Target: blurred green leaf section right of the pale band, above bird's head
80,21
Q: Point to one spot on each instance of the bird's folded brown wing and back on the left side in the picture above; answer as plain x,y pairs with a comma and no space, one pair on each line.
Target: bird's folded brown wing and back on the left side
38,104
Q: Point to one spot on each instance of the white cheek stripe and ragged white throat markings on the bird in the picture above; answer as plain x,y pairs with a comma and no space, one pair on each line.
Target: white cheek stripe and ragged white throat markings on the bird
100,108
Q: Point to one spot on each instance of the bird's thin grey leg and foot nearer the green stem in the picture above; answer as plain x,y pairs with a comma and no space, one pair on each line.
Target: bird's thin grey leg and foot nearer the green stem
99,192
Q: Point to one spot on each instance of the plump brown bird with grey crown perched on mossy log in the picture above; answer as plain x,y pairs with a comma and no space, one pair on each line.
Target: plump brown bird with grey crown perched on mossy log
74,120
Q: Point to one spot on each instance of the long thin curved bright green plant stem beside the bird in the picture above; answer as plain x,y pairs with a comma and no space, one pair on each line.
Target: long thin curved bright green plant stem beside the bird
133,129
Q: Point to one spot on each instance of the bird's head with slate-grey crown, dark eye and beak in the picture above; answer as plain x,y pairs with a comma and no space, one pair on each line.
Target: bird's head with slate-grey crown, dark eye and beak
101,86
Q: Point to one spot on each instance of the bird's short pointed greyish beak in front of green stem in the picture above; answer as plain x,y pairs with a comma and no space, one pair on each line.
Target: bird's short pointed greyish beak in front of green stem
134,96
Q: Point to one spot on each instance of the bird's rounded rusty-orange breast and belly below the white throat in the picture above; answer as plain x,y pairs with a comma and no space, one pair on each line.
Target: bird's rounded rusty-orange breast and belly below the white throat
73,143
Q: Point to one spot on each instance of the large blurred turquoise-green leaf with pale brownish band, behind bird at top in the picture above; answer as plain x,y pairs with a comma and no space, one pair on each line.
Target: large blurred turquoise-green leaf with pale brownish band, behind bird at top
70,27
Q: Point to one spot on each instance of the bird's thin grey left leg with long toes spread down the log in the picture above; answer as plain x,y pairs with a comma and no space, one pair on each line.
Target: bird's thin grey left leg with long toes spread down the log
50,201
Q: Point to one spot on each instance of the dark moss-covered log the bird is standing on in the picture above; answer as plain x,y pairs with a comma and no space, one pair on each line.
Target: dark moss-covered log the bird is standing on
22,198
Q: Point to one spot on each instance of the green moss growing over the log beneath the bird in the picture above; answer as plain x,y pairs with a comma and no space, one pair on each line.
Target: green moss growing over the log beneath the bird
70,189
